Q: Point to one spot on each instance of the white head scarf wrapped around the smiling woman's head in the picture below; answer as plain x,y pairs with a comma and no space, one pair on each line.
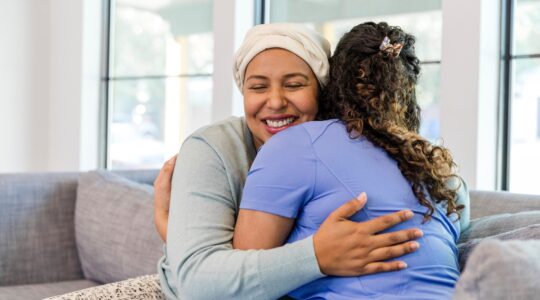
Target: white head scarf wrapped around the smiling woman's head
309,45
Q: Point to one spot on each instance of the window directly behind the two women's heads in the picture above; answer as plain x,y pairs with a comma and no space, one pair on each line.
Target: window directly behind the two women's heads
422,18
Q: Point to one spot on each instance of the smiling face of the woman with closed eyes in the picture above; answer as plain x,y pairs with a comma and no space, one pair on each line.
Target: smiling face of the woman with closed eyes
280,90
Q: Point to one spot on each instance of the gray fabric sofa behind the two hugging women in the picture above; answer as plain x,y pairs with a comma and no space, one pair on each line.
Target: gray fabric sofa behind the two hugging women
64,232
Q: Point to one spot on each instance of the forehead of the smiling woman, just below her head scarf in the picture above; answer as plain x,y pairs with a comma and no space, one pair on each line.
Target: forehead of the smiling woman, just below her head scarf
276,60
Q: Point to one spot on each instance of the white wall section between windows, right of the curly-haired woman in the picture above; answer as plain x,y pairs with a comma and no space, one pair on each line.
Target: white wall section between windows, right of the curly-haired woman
469,87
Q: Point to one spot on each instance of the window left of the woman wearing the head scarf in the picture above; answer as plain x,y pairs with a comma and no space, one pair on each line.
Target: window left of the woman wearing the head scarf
159,78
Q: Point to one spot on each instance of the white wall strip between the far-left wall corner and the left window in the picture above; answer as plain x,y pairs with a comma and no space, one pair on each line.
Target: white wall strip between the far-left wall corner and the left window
74,72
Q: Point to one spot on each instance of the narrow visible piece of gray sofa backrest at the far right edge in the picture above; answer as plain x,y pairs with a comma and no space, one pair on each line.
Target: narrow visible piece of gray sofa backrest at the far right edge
487,203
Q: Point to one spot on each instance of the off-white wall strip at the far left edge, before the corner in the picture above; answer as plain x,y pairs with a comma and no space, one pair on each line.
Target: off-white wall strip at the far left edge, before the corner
24,85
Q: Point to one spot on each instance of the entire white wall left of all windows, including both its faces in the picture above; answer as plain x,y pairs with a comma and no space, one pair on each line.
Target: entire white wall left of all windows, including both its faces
49,79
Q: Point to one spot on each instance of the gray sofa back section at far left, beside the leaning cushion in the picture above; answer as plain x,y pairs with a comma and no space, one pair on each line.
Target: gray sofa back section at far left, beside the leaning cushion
37,235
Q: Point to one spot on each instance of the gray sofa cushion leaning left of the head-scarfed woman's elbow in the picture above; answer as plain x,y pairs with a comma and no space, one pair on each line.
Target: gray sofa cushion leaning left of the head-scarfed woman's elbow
114,228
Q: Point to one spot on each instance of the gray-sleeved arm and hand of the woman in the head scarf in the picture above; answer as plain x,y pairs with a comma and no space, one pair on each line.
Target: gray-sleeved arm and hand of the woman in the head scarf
203,265
